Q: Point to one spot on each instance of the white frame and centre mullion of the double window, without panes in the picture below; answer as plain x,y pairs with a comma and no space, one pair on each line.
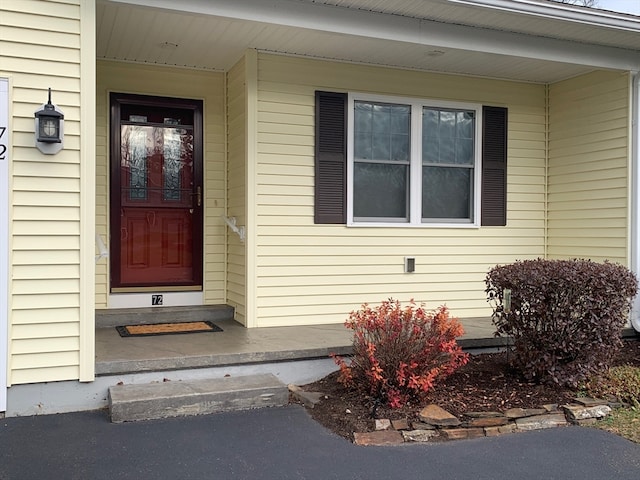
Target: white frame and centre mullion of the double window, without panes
415,166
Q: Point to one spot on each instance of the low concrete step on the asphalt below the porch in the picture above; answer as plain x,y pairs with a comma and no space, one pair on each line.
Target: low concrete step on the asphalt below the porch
128,403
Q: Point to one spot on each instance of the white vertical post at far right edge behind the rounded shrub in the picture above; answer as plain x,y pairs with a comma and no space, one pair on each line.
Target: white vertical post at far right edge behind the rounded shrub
635,193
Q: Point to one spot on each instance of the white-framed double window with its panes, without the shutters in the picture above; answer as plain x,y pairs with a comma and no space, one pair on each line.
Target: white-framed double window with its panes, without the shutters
412,161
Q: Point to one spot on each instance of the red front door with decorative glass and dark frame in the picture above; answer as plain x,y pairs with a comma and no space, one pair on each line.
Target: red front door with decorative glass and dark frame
156,193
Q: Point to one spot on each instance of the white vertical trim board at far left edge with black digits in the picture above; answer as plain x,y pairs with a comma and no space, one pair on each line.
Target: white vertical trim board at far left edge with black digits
4,239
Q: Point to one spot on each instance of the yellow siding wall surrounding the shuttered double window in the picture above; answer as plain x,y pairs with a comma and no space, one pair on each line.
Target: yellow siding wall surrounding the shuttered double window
310,273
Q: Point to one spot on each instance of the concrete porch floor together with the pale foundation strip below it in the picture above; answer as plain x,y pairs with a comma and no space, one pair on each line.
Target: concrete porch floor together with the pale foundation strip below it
296,355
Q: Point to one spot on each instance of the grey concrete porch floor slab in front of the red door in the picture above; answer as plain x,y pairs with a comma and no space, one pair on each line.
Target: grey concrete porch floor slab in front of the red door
237,345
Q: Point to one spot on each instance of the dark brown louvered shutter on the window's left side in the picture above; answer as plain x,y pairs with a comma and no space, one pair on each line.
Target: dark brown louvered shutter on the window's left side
331,158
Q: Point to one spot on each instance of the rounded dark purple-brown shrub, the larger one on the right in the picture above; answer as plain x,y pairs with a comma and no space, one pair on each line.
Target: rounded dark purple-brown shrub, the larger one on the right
565,317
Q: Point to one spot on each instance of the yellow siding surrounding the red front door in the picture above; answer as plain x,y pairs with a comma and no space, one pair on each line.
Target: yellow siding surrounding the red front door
179,83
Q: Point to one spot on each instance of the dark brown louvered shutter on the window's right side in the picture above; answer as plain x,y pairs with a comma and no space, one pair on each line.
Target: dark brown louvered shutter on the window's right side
494,166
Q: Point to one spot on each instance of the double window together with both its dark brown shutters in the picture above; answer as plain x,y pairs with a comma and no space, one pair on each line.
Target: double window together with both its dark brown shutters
383,160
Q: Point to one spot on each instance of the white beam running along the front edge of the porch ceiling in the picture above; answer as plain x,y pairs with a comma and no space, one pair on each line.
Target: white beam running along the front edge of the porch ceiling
367,24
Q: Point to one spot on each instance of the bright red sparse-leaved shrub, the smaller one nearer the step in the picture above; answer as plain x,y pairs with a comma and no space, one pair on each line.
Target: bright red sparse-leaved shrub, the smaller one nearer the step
399,353
